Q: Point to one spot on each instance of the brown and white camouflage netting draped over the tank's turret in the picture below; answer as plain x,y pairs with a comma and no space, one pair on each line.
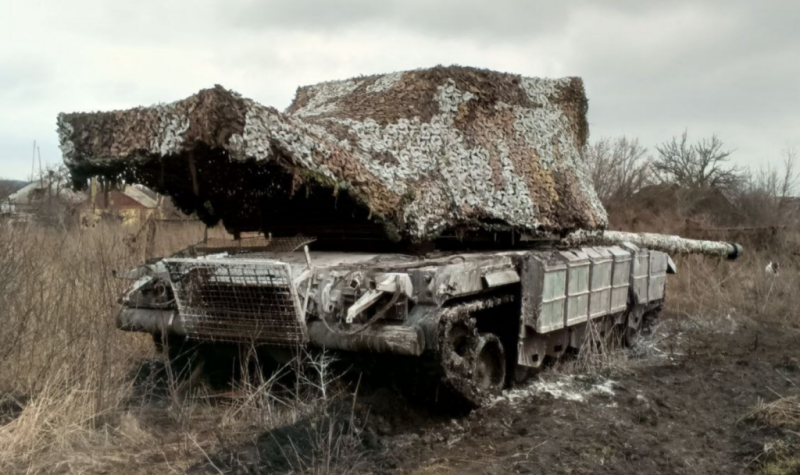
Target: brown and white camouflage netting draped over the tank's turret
417,153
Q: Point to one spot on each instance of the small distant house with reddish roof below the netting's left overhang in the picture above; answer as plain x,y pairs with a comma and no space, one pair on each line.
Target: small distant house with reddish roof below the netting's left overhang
131,206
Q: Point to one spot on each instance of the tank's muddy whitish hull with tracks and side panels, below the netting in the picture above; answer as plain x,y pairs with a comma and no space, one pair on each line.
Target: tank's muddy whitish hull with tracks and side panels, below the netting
473,323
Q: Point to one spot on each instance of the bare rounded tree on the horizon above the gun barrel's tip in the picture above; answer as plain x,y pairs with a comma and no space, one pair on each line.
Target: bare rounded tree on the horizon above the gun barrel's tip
704,164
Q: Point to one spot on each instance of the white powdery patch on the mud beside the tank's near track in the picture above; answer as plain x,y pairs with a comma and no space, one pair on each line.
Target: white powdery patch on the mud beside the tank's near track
567,387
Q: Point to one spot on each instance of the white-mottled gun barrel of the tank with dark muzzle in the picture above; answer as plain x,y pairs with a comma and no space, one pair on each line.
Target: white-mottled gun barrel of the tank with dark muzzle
660,242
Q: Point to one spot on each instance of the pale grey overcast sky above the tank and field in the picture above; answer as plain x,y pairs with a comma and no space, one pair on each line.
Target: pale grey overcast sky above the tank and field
652,69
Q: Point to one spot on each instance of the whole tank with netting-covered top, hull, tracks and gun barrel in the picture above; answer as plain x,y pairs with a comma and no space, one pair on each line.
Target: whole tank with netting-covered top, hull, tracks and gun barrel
441,217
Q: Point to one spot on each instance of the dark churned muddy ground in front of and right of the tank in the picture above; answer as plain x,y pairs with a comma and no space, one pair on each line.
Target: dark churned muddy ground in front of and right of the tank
679,408
